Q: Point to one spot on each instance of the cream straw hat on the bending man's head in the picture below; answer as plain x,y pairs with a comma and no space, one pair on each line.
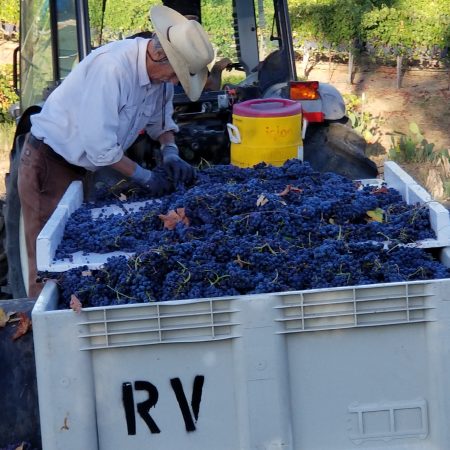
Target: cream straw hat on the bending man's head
187,47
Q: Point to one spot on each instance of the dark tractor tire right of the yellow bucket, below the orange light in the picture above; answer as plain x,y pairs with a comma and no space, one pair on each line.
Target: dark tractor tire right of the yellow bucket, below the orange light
338,148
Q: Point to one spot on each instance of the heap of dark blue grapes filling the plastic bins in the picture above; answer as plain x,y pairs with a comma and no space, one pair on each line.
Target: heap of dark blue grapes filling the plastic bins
253,230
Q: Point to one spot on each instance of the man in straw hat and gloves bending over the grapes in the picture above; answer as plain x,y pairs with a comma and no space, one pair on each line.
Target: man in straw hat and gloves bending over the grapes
90,120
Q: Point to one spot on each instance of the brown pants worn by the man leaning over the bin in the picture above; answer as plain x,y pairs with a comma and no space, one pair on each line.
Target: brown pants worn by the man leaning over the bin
43,178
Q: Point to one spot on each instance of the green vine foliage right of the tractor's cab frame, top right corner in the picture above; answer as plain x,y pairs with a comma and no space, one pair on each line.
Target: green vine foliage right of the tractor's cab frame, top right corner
411,28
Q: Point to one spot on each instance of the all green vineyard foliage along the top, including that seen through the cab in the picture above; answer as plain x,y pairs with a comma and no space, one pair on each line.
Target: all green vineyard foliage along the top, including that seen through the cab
411,28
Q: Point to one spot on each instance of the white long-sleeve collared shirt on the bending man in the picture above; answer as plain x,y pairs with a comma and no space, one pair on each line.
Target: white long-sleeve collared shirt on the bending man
99,109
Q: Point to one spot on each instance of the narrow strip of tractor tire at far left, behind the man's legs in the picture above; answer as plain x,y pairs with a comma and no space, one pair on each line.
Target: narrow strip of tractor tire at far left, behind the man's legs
15,239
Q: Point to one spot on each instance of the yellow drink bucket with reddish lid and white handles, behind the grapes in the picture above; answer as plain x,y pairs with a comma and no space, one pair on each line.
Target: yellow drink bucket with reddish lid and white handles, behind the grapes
265,130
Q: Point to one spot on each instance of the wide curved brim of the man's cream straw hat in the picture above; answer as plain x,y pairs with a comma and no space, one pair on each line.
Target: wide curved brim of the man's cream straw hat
163,18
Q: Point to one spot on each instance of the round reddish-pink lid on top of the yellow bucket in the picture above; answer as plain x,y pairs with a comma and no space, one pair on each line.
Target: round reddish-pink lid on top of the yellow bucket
267,107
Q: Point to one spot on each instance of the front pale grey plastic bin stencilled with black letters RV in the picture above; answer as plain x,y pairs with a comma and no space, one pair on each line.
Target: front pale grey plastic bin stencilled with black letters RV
363,367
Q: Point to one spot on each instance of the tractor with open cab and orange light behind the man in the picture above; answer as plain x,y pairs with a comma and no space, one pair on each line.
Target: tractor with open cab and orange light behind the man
56,34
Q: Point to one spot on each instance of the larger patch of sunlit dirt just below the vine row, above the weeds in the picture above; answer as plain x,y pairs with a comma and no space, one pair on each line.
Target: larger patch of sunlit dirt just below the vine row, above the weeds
423,98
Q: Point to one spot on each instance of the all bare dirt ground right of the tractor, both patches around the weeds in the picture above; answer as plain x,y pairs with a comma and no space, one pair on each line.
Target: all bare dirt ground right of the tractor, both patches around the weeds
424,98
